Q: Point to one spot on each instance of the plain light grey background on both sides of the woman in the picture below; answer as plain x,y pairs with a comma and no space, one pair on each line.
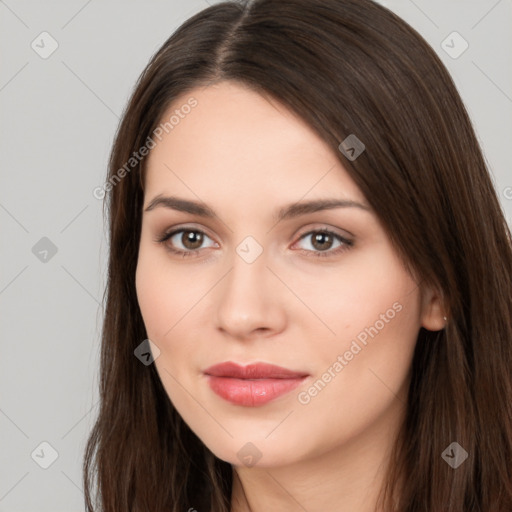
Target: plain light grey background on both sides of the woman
59,116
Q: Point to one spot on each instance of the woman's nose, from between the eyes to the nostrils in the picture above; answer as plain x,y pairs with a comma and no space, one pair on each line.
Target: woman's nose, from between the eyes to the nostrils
250,300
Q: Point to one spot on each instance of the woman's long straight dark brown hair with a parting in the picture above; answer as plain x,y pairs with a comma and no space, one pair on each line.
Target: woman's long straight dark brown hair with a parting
345,67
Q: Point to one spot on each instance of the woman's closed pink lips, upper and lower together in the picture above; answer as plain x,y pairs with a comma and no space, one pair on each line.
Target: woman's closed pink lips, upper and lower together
254,384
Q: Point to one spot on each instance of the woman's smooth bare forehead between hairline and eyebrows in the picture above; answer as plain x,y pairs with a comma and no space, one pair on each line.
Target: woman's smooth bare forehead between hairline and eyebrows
236,141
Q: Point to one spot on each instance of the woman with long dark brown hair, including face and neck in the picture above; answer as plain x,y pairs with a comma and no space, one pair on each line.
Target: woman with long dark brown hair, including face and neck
309,292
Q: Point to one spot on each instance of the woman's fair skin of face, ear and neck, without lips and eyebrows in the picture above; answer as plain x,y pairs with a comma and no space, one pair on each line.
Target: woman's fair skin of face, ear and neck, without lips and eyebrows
246,156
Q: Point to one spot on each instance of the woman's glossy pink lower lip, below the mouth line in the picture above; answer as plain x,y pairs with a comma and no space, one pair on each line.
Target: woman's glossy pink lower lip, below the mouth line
252,392
